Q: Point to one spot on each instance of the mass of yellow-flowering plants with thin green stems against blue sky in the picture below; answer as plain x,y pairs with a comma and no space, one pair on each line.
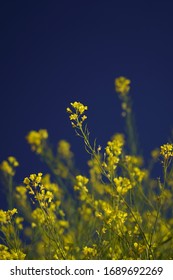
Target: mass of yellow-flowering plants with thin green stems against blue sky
117,212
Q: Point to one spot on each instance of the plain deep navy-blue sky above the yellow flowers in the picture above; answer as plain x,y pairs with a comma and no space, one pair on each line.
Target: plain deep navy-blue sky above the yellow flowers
56,52
